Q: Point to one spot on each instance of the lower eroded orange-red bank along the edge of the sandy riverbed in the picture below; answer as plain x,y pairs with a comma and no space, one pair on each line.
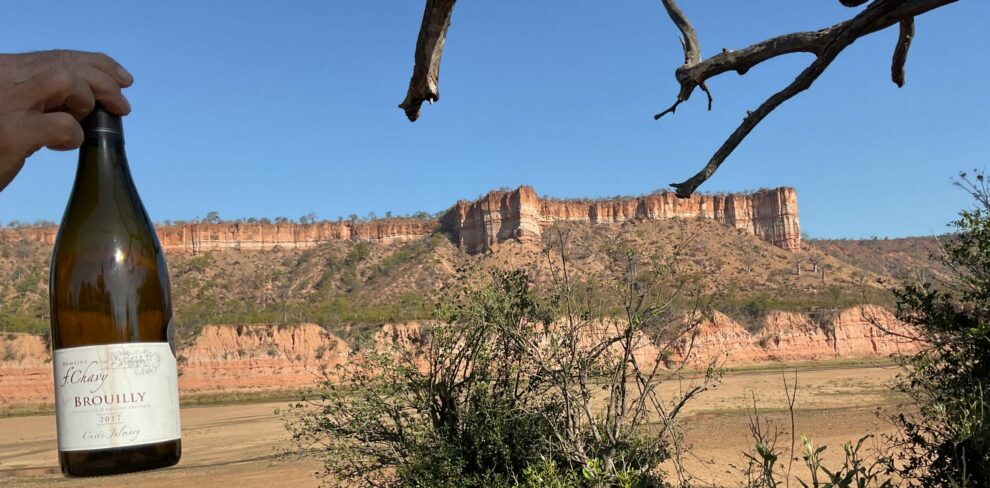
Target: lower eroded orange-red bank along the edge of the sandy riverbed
245,358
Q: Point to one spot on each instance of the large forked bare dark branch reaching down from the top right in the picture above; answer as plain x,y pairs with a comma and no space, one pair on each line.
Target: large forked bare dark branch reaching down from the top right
825,44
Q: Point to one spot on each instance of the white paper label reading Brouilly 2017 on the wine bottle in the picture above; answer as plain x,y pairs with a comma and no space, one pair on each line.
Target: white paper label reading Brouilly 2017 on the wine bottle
115,395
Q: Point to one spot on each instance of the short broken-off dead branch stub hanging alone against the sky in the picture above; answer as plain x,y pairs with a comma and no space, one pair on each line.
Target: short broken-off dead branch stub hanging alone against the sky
424,86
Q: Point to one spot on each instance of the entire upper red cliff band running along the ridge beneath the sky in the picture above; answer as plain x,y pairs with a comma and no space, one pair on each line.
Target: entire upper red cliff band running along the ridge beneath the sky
480,226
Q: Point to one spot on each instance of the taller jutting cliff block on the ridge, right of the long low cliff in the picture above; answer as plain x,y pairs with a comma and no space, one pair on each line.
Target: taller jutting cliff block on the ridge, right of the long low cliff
479,226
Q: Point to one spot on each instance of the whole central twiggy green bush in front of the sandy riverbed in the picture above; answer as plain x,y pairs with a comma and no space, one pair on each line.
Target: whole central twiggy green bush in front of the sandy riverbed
501,401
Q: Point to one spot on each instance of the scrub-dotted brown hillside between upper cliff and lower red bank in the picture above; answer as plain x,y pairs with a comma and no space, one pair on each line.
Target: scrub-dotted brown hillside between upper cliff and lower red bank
343,283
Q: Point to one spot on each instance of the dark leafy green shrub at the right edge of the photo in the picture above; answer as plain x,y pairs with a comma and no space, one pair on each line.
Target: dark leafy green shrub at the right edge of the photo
947,443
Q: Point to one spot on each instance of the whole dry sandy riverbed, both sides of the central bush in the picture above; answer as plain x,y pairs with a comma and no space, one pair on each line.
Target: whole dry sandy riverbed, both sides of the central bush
234,446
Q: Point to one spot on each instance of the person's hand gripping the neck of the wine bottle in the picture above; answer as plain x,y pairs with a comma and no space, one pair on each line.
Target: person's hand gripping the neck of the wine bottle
44,95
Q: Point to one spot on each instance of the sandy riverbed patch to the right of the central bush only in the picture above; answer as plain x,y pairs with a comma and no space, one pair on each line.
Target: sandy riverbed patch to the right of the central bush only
833,406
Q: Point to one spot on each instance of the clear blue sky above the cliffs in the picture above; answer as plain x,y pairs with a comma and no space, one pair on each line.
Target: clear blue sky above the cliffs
269,109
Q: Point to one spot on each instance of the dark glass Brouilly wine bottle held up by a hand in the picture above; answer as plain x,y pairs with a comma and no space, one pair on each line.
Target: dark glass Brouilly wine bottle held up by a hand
116,389
